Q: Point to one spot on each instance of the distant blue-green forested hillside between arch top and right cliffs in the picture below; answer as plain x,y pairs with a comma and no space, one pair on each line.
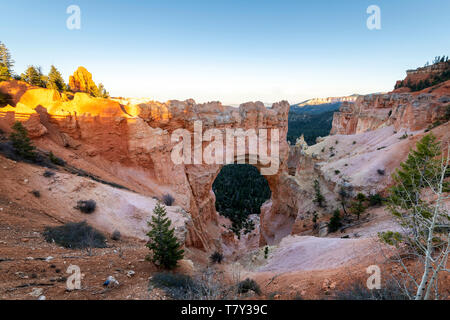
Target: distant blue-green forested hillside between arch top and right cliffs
311,120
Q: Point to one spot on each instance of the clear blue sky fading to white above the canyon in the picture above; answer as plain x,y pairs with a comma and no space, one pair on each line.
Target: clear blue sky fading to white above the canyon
232,51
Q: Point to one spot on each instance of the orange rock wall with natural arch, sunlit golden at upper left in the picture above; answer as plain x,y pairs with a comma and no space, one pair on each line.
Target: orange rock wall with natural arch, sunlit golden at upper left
134,142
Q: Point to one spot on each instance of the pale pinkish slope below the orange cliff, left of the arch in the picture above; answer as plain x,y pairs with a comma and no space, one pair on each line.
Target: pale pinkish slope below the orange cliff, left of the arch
117,209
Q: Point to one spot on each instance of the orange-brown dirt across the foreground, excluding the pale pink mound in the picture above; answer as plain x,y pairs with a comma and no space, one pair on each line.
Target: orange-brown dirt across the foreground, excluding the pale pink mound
28,262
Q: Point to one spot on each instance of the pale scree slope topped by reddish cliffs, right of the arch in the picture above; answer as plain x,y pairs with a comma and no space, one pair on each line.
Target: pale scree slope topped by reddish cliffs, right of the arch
369,139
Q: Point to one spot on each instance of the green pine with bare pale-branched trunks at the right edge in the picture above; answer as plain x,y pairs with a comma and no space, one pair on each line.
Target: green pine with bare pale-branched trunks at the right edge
424,219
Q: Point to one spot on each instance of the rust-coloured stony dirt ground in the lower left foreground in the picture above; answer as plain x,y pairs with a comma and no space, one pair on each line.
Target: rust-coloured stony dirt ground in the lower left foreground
23,265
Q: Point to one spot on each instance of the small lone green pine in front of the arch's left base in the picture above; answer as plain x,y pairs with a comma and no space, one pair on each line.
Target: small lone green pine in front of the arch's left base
164,245
